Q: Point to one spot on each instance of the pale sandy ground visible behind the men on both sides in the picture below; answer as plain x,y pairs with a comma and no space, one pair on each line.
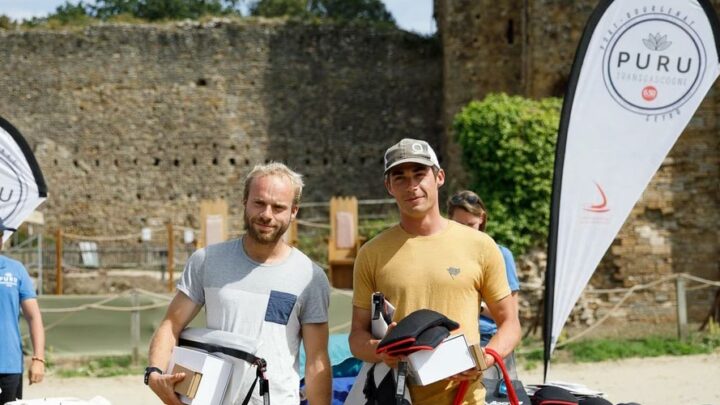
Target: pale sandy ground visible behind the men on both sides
691,380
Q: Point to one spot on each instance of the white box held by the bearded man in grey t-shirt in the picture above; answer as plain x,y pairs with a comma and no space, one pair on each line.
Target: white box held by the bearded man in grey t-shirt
215,374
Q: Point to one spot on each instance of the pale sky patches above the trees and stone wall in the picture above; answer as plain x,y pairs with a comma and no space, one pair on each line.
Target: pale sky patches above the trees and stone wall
411,15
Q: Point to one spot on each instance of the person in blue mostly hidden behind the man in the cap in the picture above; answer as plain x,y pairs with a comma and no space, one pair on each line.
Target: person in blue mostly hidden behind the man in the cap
468,209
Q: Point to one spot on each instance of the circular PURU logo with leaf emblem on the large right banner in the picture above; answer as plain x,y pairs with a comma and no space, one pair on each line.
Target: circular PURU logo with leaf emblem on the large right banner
654,61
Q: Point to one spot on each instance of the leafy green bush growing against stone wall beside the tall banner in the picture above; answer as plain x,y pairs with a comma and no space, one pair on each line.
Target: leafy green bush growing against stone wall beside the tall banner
508,148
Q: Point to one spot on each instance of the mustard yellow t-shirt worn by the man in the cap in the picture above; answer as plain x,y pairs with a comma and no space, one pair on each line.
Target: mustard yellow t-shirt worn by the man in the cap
449,272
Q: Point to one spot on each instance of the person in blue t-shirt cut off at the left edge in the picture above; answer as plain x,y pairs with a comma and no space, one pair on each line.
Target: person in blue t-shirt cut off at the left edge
17,292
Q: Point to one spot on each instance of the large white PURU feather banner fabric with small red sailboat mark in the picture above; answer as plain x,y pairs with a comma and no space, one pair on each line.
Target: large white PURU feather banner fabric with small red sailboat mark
647,68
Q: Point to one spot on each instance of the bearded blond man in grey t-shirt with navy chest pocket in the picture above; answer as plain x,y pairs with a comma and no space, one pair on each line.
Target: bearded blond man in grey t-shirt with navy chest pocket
258,287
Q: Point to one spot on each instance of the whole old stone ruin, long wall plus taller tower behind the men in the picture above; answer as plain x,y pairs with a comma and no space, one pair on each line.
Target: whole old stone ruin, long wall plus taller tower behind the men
133,125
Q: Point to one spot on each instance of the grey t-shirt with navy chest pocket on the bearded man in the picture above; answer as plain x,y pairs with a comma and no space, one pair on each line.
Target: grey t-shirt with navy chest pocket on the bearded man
266,303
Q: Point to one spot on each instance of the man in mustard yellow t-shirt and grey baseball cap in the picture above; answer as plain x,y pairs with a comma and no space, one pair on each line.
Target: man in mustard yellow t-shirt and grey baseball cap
427,261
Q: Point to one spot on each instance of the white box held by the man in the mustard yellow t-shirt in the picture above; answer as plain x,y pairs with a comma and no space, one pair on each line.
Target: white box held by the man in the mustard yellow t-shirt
452,356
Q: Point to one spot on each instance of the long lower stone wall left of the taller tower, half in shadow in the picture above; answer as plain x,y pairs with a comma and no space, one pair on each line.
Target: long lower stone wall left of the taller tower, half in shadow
133,125
